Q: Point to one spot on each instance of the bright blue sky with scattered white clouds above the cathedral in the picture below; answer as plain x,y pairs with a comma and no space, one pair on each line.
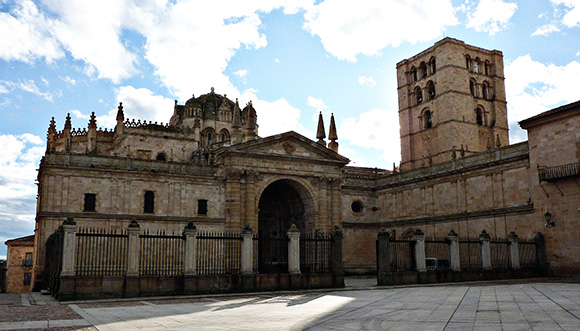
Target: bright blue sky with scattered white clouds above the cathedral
292,59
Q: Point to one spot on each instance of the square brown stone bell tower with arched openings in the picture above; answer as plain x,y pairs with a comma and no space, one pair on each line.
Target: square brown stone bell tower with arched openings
451,102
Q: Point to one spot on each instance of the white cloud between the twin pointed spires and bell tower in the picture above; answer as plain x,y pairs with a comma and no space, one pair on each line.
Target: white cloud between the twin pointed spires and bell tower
377,129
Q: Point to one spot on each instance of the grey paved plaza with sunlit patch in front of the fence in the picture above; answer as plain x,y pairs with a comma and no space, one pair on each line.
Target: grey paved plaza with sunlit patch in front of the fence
478,306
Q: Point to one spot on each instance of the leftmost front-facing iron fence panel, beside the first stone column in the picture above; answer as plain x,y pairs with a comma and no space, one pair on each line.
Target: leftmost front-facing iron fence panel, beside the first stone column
101,252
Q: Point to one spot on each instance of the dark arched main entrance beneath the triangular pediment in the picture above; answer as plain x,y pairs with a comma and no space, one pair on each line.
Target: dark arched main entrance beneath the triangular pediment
282,203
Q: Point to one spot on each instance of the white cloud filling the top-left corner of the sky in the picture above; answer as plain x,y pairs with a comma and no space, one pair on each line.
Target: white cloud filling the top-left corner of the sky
27,34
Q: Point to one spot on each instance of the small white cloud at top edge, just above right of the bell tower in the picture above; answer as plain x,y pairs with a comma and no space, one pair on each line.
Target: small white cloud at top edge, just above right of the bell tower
491,16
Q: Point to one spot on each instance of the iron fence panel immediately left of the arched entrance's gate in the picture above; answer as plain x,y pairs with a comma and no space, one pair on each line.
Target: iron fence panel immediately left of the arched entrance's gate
218,253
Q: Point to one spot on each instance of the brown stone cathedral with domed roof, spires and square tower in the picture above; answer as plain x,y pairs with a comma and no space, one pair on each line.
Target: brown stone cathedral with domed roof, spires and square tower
209,165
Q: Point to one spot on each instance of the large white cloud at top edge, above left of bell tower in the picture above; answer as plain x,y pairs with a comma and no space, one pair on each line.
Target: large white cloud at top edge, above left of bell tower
349,28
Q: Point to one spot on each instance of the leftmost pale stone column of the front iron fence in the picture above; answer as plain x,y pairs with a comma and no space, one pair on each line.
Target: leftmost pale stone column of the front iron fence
67,274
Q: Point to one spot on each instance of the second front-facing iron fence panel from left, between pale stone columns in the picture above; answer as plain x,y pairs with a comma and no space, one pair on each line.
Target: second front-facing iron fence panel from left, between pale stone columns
161,254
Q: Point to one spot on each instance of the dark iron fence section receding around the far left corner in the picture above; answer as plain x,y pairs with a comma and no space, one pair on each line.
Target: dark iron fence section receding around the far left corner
53,261
